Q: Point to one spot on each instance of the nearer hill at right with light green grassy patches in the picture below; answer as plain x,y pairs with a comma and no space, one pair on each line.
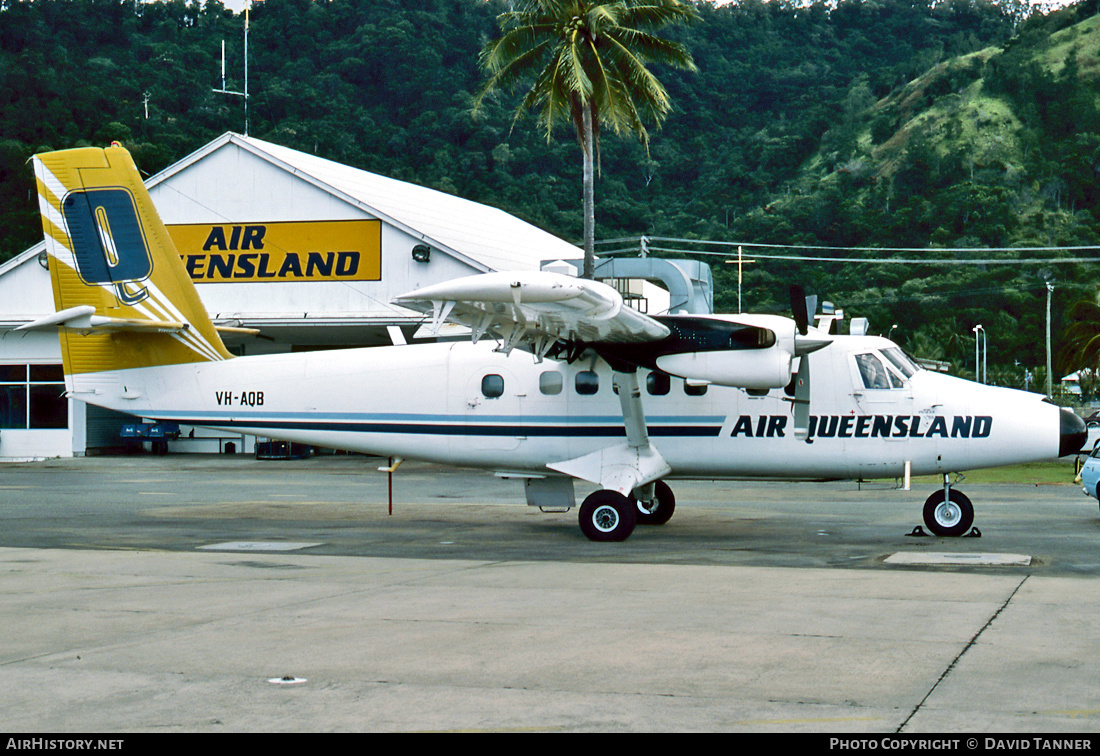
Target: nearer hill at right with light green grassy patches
999,148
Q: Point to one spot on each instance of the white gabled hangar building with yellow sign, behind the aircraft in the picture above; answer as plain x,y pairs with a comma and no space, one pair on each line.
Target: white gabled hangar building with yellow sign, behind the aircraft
306,250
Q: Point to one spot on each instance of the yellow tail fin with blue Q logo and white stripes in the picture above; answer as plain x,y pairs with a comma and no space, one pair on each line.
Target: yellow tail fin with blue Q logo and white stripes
123,295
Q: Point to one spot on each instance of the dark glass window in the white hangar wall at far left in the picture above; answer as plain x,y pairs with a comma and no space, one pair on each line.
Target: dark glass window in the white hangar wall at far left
32,397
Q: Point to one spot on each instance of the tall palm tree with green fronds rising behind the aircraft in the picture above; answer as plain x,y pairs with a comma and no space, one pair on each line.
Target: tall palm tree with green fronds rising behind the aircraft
589,63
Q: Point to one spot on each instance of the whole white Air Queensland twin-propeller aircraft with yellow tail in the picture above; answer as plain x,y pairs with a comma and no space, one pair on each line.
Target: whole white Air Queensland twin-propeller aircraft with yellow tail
559,382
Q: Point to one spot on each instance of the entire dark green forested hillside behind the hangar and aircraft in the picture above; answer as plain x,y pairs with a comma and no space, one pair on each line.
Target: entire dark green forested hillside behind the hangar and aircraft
827,125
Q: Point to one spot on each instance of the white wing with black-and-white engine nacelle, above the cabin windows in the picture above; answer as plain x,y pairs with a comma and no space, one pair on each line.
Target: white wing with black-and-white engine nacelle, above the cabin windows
540,312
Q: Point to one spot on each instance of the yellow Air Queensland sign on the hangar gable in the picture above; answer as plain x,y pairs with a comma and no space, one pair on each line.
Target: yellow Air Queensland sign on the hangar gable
281,253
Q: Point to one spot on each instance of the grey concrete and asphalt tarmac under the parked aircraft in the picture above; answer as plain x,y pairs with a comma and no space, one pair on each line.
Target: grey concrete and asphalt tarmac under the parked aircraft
131,604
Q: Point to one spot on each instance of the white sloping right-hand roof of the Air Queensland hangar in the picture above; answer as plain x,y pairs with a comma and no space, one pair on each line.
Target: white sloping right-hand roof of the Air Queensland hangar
487,235
